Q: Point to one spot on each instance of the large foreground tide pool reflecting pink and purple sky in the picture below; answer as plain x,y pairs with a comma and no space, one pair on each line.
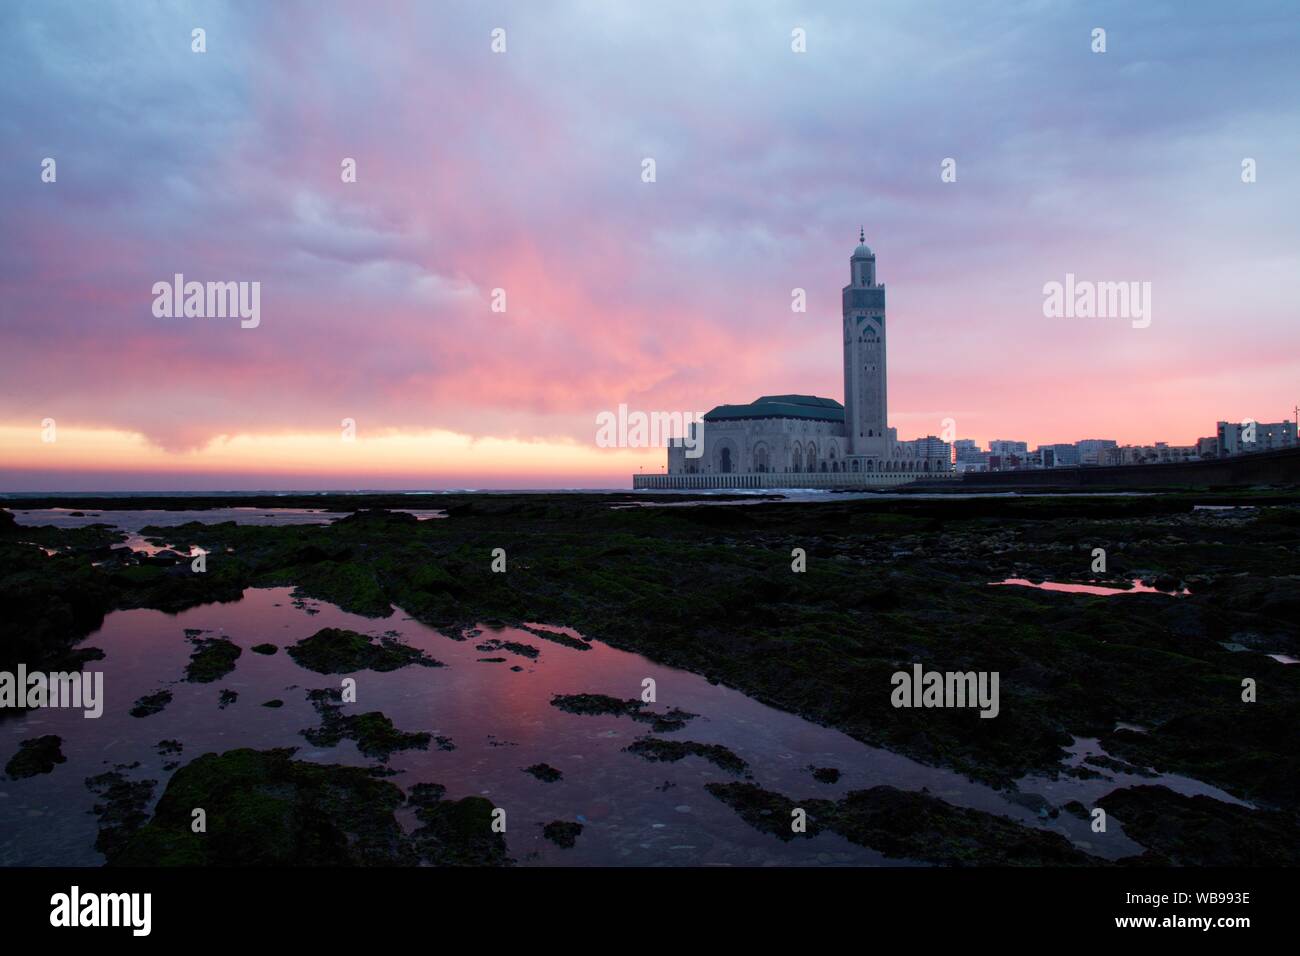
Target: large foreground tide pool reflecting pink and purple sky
501,720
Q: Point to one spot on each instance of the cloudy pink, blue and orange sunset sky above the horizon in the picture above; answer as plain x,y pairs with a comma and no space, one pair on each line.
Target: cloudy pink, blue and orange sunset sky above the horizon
523,171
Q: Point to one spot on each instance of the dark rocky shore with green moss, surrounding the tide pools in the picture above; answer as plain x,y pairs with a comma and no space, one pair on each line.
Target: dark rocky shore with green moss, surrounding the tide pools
1156,678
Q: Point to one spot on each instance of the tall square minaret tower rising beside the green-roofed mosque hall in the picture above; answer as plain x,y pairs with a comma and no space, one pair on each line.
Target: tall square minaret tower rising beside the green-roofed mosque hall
865,395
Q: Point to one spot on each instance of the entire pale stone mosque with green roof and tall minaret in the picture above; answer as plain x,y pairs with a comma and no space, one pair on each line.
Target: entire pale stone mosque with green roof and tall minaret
804,442
